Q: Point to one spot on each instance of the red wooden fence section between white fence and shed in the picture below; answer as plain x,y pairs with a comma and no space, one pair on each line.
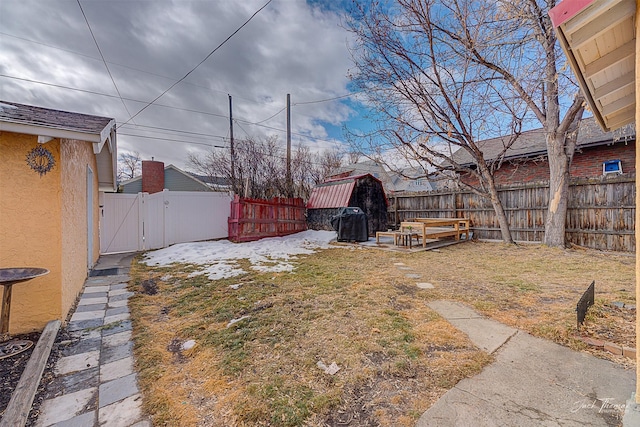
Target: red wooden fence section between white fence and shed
253,219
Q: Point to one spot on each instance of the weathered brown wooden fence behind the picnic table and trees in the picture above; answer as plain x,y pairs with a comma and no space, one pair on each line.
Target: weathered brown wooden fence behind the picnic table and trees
601,213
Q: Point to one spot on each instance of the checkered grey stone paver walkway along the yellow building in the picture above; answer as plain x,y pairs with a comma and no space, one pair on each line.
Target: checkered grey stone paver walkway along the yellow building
95,383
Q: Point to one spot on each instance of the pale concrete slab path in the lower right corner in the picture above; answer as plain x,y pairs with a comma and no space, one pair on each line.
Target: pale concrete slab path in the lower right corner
533,382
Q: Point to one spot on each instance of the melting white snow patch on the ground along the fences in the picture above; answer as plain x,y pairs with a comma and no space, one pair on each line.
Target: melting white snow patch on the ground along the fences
219,258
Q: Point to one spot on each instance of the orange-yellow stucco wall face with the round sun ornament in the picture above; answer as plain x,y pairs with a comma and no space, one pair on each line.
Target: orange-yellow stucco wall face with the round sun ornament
30,231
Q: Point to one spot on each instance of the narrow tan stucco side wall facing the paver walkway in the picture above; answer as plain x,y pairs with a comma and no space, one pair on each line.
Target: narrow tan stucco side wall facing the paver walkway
76,156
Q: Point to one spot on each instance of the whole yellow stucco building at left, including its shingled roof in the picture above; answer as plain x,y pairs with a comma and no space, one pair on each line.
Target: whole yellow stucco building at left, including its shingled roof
51,220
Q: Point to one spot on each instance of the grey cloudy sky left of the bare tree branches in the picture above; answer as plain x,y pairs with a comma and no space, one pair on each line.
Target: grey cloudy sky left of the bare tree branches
51,55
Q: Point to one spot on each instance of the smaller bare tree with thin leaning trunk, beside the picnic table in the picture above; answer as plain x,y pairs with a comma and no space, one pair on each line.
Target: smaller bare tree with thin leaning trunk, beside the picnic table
432,98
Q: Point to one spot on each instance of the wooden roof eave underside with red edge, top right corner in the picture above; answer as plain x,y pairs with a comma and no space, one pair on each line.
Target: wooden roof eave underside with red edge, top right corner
598,38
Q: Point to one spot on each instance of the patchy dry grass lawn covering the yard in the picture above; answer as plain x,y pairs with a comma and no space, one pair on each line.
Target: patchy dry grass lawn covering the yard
357,308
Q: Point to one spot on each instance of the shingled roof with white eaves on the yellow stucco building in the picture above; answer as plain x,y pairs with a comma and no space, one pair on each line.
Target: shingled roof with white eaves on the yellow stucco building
101,133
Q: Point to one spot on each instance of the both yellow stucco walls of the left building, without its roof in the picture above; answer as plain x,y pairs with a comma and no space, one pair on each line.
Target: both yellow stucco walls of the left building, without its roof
43,223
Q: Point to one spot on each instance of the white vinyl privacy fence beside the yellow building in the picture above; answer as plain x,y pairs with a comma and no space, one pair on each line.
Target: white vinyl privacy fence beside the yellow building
136,222
